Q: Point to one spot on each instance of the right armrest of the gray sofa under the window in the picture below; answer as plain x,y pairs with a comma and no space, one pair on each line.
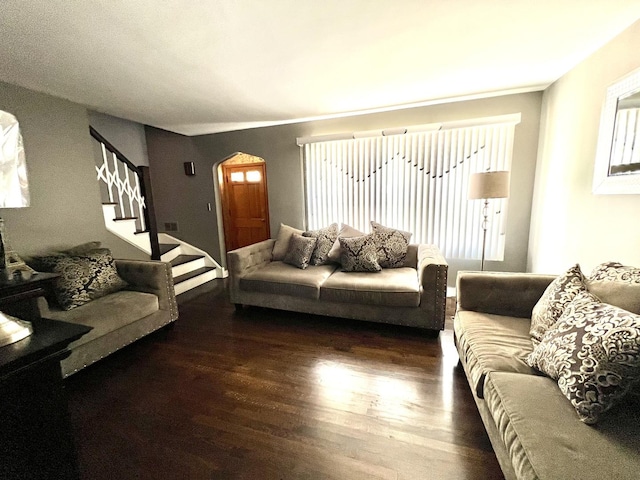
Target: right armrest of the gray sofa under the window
432,273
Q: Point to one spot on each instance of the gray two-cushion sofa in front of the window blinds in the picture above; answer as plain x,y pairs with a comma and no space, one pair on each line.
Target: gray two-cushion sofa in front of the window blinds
413,295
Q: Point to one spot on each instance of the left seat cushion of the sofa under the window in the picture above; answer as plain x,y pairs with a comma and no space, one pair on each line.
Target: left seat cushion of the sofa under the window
283,279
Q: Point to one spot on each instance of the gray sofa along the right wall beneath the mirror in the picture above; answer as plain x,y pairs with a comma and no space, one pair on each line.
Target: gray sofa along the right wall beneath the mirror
533,428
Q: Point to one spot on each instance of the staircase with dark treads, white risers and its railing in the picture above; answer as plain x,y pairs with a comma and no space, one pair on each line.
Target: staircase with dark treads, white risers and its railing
128,214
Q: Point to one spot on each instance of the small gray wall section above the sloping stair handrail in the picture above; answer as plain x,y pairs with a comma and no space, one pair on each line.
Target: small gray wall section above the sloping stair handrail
128,137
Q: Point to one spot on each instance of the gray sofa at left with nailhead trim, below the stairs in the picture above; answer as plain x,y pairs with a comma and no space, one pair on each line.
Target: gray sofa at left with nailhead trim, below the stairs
120,318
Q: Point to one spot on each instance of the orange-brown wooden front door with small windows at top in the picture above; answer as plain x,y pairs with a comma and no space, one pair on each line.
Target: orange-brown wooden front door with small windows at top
245,204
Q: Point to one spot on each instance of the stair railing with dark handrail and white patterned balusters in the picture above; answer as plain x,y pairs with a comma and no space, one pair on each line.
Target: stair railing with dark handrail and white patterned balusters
128,186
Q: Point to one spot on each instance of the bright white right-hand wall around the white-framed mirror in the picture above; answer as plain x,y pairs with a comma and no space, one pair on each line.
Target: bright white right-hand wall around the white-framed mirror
568,223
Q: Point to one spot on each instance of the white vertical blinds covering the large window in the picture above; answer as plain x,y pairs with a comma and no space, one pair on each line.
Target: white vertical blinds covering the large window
416,182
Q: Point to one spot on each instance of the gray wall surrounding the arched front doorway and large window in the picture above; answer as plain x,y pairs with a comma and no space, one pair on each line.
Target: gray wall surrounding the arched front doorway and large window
182,199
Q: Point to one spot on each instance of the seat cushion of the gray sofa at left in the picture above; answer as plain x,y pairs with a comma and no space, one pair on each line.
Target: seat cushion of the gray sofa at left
108,313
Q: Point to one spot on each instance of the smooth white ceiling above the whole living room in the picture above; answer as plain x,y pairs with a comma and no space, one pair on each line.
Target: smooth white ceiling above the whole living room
197,66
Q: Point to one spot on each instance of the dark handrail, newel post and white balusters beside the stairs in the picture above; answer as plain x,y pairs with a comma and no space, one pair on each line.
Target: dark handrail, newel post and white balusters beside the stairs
142,185
